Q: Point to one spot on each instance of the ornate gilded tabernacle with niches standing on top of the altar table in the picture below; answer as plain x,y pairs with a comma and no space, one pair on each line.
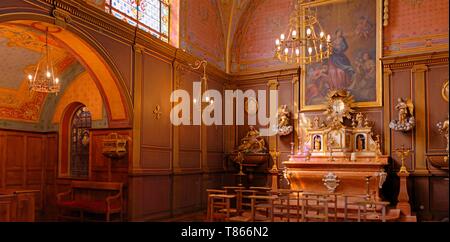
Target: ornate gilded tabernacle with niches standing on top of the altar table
332,137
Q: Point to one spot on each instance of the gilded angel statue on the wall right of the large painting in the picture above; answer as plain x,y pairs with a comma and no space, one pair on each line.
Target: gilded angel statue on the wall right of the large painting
406,119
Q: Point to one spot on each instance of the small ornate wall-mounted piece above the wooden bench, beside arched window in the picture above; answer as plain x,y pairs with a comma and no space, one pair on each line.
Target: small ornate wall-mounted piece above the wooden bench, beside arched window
115,146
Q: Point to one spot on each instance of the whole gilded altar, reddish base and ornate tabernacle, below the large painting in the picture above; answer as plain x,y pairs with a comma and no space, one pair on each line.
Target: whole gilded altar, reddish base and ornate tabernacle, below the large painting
340,153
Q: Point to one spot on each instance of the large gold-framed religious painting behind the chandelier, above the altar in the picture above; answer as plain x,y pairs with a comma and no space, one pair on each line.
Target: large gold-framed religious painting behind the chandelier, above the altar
354,65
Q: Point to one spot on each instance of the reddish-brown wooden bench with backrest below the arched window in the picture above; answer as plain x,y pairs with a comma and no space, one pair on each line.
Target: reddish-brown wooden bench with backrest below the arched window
91,198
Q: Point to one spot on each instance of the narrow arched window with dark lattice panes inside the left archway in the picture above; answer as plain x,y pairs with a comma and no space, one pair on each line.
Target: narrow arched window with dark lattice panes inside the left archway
79,143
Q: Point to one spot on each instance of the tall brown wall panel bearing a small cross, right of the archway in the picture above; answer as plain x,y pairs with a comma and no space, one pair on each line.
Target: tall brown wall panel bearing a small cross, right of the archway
156,128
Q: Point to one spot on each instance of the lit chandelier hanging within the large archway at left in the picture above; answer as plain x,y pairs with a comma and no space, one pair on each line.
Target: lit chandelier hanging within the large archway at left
44,79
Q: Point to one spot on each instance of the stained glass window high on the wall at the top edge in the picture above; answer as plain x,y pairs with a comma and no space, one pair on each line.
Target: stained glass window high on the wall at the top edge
151,16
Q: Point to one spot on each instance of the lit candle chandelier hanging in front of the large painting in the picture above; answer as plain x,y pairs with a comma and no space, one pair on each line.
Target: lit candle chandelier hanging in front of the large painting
306,41
